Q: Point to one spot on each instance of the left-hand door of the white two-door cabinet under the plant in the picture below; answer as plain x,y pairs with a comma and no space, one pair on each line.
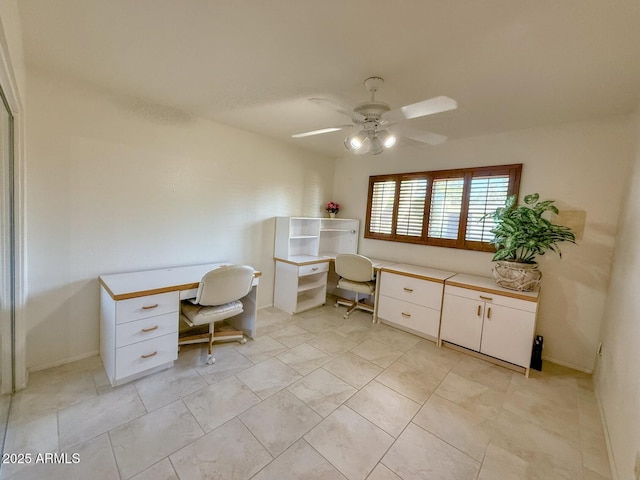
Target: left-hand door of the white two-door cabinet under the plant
462,321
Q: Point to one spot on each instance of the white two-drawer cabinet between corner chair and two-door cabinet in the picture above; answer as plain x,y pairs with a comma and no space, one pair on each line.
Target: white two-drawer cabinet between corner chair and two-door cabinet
409,297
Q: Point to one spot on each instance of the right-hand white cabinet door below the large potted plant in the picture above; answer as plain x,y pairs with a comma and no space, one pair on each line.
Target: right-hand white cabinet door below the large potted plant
508,334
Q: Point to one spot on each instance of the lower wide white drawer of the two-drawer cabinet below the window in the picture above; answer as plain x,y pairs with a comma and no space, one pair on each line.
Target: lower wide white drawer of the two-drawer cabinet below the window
409,315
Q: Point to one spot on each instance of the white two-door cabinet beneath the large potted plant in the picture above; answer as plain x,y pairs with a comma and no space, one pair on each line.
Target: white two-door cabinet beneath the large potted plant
480,316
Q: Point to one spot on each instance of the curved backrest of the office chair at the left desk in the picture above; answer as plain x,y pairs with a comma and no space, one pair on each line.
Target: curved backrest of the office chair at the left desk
224,285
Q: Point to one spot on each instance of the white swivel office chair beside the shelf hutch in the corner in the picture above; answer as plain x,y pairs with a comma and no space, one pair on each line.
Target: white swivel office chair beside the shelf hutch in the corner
356,275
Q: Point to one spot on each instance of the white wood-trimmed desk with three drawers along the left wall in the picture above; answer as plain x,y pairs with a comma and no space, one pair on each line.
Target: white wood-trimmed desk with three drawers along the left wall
139,314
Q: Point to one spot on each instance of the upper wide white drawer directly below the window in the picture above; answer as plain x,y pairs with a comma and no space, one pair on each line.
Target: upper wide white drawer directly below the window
413,290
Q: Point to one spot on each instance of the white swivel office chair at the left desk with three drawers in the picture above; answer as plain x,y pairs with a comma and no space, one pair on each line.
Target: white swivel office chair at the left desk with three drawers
218,298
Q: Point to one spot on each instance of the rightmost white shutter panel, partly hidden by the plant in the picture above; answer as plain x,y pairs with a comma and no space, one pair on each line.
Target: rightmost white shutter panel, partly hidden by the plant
487,194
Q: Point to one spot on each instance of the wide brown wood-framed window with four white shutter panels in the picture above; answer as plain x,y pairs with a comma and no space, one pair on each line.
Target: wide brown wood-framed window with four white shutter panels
446,208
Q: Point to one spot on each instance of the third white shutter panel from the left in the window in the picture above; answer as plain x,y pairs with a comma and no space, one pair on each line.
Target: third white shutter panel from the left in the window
446,204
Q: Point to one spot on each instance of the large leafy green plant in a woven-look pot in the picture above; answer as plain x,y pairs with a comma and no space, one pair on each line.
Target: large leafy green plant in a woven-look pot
521,234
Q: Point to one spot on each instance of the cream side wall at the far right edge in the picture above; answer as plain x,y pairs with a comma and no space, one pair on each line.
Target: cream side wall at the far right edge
617,378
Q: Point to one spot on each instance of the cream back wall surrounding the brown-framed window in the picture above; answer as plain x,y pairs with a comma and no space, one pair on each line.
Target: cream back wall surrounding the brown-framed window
580,165
